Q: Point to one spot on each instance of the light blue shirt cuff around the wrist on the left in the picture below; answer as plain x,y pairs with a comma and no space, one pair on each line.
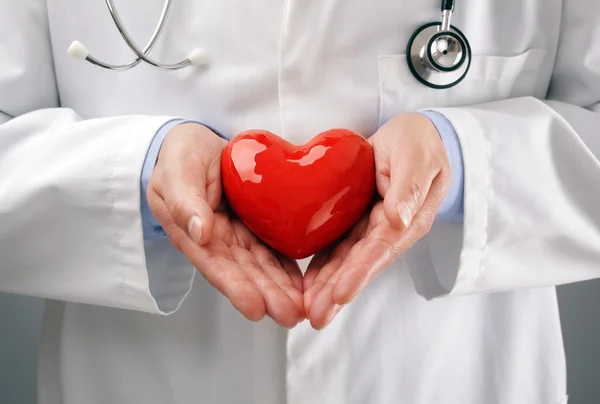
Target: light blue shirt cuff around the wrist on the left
150,226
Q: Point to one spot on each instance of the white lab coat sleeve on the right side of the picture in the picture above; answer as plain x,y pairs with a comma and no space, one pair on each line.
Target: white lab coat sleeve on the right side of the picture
532,182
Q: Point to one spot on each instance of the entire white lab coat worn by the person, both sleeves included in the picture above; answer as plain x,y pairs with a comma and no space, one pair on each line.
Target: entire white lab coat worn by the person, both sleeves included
468,316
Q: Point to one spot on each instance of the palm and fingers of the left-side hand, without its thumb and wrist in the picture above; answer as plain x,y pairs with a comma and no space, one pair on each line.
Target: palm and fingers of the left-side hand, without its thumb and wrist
253,277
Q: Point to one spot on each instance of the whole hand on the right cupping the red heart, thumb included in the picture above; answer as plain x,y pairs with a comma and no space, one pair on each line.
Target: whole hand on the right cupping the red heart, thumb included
412,177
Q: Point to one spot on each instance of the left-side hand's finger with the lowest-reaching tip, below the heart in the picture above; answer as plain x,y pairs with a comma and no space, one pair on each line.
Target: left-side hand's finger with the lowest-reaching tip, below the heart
279,305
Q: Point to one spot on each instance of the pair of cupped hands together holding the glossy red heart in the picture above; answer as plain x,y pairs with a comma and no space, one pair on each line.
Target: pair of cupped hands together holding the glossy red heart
185,195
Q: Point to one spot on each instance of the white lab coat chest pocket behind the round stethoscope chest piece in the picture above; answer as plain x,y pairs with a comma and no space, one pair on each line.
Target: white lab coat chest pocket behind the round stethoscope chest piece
490,78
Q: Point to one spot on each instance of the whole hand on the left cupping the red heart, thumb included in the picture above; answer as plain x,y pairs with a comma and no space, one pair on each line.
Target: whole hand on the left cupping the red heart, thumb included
185,195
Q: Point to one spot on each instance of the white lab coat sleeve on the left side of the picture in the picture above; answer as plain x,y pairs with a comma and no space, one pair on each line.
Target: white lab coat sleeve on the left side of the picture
70,221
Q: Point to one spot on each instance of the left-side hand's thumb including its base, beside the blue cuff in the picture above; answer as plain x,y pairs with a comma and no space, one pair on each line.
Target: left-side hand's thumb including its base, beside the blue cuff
185,198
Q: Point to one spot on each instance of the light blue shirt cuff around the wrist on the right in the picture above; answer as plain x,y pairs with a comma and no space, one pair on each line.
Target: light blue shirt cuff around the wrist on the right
452,209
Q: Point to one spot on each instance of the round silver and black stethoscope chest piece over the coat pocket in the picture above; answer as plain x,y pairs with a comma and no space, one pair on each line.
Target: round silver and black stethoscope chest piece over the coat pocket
438,58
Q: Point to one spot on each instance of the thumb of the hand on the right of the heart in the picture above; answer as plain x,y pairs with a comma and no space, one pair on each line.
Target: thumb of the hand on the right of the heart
409,186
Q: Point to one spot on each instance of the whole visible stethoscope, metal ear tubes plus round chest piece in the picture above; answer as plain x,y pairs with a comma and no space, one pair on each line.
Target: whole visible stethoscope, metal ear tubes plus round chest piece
438,54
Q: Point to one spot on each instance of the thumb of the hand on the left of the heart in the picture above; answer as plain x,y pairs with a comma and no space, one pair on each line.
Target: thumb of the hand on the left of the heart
191,212
